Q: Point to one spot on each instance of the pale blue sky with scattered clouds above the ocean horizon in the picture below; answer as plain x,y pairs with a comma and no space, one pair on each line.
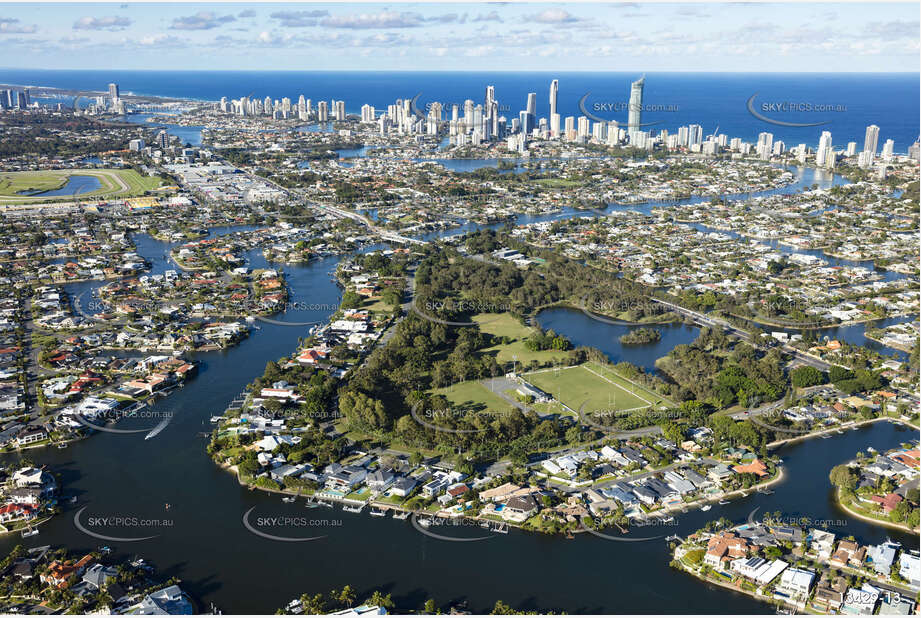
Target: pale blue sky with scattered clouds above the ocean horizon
745,37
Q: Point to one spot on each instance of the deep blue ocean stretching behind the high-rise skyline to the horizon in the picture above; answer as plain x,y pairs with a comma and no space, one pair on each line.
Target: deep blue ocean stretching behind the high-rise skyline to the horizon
844,104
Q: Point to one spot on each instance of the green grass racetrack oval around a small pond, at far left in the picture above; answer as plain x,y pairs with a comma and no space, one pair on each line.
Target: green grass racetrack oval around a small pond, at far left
113,183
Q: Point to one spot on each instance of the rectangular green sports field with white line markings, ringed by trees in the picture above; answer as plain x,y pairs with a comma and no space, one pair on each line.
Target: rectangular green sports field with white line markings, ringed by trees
584,385
